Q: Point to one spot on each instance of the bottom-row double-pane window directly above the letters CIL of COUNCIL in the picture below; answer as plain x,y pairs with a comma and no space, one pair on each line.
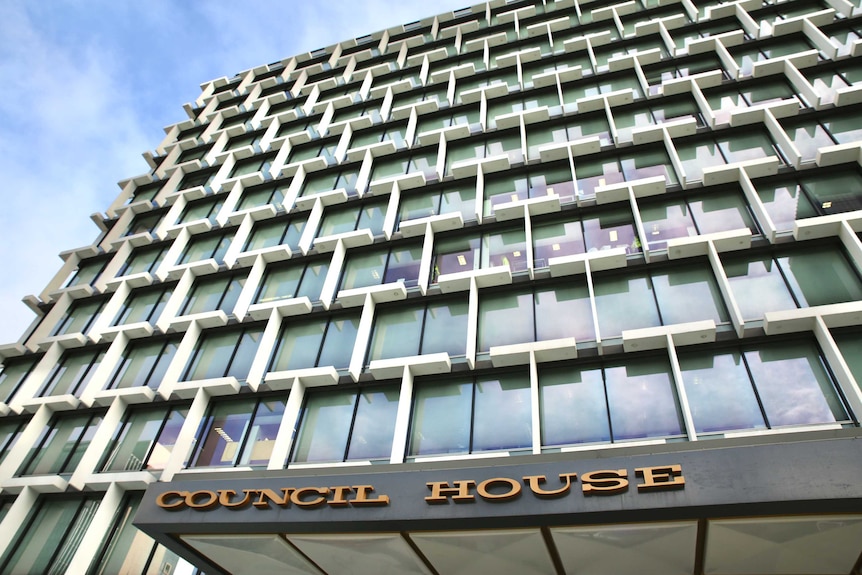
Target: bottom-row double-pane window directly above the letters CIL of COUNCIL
347,425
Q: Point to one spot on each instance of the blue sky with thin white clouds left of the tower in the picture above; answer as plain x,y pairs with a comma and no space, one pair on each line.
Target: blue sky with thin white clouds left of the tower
88,86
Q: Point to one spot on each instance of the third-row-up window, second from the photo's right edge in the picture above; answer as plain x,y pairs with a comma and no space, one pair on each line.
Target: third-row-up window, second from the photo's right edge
719,210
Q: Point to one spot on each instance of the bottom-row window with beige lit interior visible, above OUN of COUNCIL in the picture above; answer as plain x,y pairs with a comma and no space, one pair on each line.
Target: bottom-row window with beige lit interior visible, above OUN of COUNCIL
239,432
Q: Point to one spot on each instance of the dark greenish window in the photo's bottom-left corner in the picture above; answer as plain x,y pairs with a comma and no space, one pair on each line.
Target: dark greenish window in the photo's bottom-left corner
50,536
